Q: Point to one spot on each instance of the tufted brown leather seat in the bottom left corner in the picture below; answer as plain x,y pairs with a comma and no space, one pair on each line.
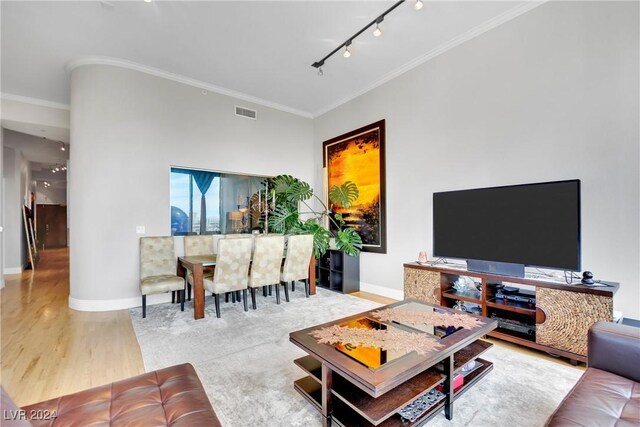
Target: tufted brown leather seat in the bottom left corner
172,396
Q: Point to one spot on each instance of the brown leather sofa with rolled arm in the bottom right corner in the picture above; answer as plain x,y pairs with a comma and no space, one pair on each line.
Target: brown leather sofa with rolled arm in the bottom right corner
608,393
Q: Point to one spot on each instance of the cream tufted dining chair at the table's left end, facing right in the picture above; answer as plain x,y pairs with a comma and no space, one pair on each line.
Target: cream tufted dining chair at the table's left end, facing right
158,266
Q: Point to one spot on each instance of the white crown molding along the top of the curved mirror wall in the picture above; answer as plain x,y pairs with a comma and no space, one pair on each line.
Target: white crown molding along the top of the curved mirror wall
98,60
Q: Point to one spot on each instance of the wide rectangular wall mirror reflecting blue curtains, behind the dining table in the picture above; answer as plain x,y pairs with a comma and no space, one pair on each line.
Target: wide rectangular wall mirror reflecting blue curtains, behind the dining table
212,202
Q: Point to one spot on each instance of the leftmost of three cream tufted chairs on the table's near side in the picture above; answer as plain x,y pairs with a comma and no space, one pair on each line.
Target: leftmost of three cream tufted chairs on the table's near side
232,270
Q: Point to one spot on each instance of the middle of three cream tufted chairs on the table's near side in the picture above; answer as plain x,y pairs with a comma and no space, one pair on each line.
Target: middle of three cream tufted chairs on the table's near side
265,266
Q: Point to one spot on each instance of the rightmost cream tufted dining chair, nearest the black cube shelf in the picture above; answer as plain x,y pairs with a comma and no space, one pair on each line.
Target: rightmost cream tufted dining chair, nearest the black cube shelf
296,264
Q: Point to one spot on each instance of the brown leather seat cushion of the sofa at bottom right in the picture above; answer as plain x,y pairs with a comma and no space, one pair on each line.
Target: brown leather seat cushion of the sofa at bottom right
601,399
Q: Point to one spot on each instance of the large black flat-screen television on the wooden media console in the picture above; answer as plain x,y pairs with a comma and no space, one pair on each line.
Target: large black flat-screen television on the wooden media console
502,229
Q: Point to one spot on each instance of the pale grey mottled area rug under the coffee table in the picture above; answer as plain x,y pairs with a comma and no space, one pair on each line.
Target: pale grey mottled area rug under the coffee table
245,362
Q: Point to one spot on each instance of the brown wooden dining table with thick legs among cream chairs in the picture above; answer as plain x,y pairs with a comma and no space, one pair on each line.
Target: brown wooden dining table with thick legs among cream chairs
197,263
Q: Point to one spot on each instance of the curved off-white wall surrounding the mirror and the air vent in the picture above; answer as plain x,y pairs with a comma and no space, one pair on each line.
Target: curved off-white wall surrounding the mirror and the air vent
127,129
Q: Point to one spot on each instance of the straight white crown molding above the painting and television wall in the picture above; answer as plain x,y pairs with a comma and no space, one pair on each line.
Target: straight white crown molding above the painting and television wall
456,41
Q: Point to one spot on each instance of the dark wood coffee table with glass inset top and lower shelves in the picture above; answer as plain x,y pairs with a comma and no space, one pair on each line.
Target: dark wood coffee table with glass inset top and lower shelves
368,386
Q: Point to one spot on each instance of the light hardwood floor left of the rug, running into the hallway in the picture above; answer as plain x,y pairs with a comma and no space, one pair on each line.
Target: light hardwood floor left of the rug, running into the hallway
49,349
